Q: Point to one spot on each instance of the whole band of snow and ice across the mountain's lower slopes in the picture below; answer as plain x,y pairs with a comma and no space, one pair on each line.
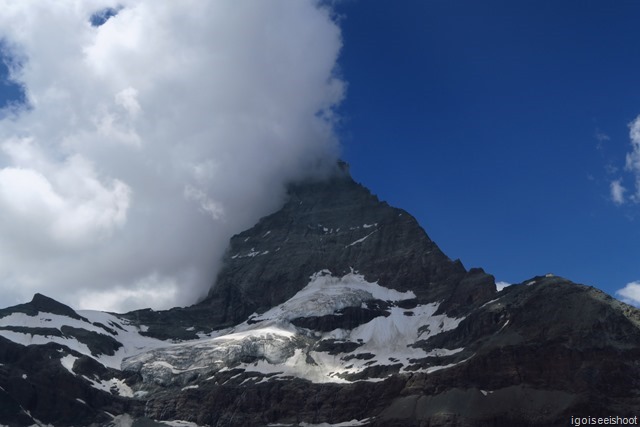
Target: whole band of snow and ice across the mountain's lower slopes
267,343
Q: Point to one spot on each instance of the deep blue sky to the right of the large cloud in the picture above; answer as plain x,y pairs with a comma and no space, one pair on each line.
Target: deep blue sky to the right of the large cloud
500,126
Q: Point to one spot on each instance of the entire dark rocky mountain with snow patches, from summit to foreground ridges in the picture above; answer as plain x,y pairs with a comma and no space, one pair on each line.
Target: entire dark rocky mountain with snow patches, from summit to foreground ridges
336,310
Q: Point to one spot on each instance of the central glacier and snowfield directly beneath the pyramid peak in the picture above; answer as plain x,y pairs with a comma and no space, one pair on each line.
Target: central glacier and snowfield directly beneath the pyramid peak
280,348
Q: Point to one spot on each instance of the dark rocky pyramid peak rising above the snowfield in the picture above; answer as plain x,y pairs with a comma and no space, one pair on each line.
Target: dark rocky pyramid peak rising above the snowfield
338,225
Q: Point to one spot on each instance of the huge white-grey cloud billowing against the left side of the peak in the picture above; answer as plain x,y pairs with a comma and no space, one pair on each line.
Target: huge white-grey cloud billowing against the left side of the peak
153,138
